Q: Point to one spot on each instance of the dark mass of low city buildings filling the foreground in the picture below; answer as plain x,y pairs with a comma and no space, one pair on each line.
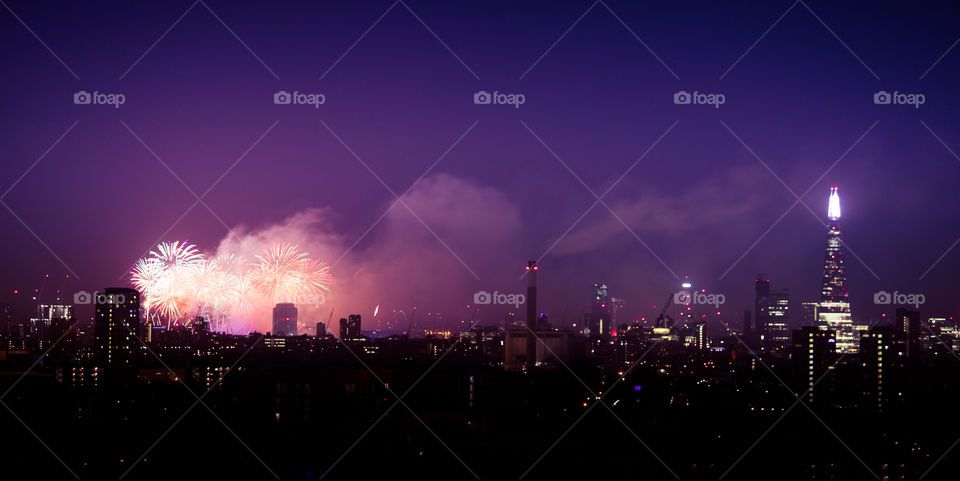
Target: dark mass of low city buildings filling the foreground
687,404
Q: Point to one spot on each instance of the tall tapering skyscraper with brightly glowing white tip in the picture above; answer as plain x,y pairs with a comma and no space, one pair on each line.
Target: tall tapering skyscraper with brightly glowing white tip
834,311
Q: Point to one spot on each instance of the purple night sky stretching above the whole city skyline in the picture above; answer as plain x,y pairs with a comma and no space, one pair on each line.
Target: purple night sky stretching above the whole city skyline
201,97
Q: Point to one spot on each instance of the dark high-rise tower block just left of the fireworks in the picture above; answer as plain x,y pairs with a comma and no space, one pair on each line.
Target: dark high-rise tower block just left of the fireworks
116,324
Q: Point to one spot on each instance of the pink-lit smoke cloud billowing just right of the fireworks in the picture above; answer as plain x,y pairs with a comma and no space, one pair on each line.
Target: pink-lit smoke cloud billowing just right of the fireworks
427,251
